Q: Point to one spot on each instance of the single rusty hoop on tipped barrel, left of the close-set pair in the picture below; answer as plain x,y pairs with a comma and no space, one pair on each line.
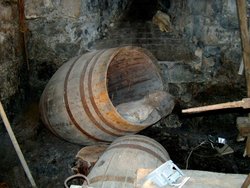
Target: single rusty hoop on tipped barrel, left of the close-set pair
67,105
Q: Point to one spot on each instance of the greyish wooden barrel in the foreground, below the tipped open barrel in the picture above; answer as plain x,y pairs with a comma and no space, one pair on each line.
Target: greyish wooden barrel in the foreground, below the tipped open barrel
118,165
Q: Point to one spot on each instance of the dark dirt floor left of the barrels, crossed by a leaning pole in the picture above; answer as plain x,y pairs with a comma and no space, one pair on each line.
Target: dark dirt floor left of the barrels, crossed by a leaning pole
49,158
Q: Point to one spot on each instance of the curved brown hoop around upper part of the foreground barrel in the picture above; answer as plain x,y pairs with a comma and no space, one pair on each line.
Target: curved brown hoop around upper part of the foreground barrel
133,146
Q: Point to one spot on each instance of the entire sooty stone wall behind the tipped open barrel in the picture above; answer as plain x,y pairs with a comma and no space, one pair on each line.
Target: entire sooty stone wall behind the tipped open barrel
201,55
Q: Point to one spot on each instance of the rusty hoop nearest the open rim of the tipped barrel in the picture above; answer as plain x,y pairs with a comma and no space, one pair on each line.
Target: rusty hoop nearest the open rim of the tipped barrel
95,106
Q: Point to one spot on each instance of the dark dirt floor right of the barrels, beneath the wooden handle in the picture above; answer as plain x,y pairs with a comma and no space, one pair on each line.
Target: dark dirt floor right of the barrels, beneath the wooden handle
194,136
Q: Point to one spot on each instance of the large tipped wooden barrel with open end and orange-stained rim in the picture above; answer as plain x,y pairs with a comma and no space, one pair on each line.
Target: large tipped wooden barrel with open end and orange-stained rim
78,103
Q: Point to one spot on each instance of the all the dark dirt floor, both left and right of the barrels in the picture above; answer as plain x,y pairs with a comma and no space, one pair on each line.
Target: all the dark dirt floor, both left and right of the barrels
50,158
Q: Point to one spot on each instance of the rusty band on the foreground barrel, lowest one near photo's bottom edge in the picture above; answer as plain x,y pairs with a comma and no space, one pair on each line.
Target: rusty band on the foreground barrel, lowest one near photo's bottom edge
112,178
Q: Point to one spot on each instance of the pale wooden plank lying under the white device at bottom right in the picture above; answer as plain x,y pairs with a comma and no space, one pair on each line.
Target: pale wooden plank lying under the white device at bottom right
198,179
